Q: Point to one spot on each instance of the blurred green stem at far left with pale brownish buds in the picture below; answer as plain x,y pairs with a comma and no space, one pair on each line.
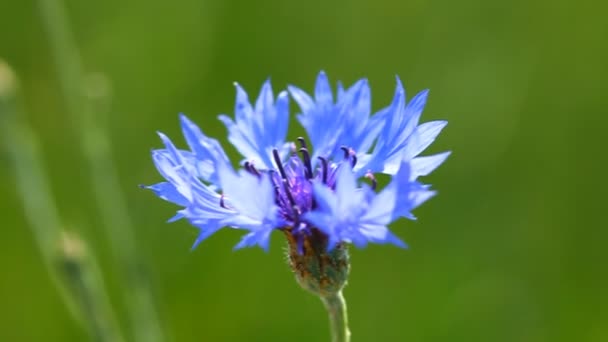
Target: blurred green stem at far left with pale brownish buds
83,290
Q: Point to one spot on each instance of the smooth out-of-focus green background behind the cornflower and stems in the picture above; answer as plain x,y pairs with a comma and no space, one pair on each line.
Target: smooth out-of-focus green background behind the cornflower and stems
512,249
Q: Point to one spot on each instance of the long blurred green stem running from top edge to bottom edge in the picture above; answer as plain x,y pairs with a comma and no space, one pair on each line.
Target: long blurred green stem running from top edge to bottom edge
104,178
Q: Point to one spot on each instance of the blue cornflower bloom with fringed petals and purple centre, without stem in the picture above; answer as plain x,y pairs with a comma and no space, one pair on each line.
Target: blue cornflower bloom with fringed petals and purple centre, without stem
312,193
